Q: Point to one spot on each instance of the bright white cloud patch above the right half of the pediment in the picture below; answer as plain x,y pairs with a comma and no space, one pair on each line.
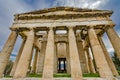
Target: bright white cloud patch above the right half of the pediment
81,3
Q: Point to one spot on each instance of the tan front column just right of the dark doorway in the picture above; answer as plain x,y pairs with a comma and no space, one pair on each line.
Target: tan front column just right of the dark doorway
76,71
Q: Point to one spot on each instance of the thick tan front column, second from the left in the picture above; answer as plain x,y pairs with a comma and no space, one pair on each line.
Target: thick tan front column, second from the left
24,61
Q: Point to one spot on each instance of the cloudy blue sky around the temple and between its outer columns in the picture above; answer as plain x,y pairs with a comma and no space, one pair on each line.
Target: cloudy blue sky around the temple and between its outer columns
10,7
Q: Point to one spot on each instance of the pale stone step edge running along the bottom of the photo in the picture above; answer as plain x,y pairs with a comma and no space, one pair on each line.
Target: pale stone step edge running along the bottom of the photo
55,79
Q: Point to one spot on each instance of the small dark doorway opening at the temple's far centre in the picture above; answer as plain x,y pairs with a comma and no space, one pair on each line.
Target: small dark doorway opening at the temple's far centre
62,65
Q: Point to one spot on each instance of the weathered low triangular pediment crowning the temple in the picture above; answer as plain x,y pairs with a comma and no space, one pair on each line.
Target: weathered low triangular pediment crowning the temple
62,12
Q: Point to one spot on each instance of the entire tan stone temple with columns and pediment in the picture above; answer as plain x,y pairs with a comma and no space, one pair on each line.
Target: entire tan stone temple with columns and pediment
62,40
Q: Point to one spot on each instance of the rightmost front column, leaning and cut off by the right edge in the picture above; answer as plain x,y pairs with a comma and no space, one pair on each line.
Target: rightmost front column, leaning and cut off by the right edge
115,40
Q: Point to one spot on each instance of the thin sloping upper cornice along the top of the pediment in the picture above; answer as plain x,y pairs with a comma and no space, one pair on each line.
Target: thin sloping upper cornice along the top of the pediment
67,9
